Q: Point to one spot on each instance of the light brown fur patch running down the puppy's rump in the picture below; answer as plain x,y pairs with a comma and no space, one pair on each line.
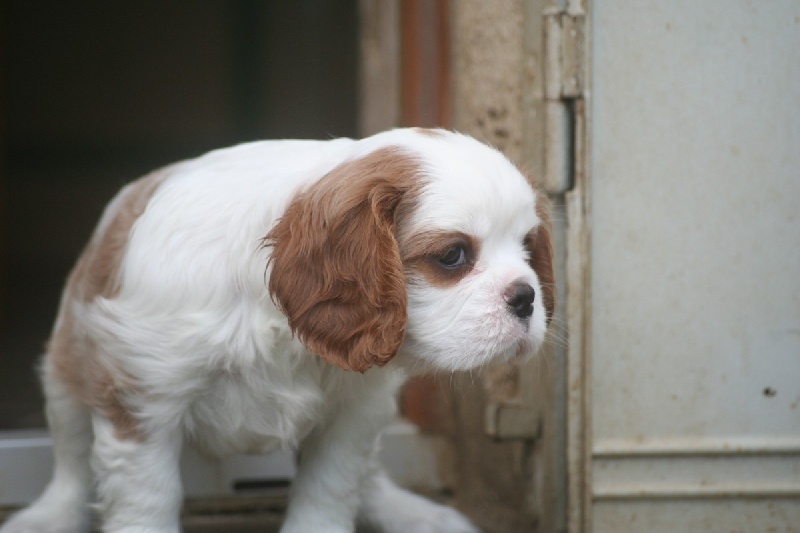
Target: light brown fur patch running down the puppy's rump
75,357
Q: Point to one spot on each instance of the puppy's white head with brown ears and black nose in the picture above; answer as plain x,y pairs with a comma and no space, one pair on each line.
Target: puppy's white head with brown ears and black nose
424,244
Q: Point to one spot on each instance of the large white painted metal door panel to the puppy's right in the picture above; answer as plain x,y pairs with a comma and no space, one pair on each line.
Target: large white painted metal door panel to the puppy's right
695,192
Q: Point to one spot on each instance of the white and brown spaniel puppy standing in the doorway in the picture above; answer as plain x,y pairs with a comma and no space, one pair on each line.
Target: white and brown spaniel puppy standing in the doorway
276,295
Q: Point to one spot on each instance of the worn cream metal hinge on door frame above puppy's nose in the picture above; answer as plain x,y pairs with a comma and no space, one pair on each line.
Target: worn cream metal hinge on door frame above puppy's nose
564,73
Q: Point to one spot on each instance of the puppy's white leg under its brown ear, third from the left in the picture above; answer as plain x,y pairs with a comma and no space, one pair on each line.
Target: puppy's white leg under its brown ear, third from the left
333,460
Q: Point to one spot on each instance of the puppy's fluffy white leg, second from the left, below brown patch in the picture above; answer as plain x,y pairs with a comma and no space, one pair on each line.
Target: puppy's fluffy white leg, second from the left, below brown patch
138,479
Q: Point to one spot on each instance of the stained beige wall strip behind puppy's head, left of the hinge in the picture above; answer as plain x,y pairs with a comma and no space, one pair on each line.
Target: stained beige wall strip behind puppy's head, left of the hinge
511,484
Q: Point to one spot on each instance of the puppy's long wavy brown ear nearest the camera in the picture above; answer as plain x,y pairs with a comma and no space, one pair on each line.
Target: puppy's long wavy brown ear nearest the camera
336,268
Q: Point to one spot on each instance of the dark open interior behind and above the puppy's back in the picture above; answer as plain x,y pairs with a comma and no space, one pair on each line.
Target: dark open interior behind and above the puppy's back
96,93
